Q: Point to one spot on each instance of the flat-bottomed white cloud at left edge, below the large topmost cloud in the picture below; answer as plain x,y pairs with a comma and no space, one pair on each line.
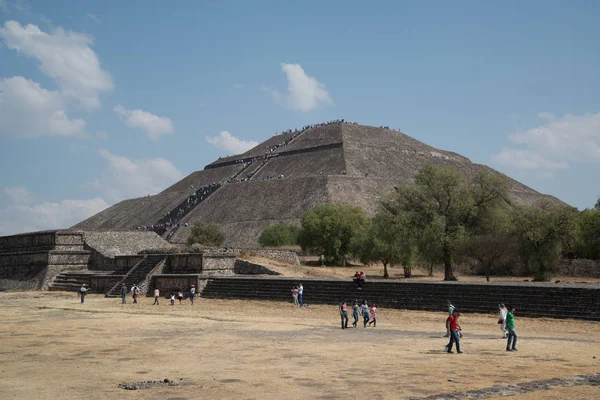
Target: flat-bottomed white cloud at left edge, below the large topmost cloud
28,111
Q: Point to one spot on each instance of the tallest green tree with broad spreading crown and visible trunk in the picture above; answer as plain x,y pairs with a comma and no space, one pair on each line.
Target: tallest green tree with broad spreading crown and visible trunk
446,204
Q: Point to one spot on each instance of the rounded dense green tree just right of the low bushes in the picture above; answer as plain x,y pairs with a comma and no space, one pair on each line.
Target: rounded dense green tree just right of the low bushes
330,229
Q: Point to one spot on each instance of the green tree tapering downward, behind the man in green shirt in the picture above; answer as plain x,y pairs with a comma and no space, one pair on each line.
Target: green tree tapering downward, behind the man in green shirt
544,232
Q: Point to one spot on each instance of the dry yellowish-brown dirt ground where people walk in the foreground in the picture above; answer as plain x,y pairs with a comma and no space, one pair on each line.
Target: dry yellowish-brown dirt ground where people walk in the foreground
53,347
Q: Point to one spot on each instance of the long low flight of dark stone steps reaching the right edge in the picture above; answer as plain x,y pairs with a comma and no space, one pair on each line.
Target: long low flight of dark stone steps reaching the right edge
553,302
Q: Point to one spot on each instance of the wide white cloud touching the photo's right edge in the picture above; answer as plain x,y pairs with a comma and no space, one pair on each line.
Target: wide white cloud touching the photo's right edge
554,144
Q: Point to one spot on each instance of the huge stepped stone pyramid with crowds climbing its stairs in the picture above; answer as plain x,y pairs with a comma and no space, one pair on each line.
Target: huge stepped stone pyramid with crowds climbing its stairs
281,178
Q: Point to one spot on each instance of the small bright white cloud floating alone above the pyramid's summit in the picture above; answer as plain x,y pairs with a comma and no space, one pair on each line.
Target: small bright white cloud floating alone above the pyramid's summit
304,92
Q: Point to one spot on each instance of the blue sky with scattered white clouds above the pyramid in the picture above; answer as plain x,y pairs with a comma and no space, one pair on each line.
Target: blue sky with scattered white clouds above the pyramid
101,101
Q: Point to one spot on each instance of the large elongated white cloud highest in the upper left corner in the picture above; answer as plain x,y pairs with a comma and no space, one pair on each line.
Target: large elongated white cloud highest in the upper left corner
65,56
